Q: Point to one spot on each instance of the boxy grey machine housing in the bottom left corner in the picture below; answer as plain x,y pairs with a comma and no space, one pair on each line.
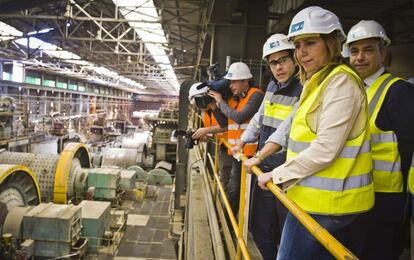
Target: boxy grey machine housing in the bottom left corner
49,230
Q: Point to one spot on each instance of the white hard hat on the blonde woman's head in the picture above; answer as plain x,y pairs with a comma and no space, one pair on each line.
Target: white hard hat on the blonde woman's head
315,20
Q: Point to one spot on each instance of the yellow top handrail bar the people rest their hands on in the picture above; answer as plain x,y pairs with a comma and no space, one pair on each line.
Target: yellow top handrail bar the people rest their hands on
322,235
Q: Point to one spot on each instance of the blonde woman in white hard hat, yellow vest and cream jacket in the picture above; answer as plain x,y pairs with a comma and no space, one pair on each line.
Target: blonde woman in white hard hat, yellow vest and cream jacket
328,167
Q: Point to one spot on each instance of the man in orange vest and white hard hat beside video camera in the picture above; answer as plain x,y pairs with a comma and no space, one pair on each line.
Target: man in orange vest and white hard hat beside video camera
239,110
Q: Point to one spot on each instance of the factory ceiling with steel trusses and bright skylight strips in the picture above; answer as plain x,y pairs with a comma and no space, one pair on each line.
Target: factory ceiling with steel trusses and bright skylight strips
112,33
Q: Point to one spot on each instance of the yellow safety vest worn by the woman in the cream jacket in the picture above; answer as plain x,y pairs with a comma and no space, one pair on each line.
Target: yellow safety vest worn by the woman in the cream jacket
344,187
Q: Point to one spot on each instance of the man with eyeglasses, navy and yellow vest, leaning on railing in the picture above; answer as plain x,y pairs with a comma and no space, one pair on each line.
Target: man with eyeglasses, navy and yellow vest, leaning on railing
283,91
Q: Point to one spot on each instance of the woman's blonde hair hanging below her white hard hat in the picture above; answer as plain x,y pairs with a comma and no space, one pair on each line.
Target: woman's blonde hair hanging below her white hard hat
333,44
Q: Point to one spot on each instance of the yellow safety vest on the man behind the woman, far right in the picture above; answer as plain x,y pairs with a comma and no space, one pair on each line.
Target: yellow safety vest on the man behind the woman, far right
384,146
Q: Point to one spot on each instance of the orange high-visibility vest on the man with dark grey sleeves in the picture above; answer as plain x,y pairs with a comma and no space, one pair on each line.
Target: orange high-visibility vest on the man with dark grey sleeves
235,130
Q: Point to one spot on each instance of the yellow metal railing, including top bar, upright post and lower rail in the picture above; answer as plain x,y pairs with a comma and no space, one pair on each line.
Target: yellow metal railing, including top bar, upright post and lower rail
322,235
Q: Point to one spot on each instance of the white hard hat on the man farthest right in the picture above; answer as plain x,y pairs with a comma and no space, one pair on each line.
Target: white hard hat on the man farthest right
367,29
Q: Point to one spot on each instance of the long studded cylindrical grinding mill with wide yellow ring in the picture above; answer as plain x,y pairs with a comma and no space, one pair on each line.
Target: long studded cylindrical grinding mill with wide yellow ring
59,176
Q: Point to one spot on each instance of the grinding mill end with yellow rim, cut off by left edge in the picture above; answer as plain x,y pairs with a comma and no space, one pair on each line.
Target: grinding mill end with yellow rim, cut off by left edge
18,188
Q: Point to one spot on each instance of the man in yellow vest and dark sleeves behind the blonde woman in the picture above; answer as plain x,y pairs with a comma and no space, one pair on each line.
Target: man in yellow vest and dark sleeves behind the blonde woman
391,111
